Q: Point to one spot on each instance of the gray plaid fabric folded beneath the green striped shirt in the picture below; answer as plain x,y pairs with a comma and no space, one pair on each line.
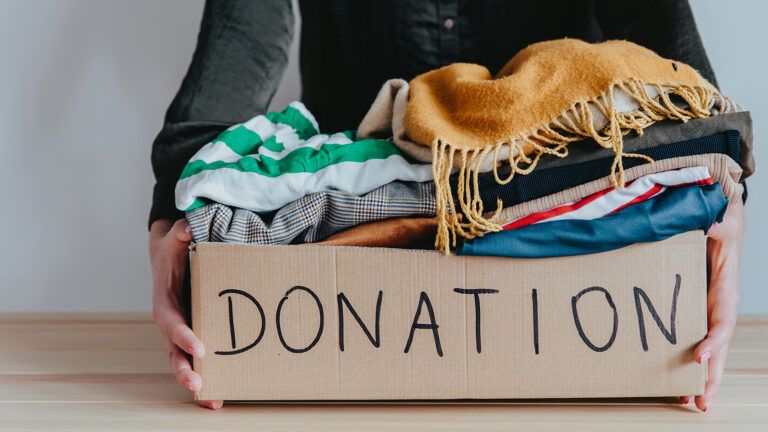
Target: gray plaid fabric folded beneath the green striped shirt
314,217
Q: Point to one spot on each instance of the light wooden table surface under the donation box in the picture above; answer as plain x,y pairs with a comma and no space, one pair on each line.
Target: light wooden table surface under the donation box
110,372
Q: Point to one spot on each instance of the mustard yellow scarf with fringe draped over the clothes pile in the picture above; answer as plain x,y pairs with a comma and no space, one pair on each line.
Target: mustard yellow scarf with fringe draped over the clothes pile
548,95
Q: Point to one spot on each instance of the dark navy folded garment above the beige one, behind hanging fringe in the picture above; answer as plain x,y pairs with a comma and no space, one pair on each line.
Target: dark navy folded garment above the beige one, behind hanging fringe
544,181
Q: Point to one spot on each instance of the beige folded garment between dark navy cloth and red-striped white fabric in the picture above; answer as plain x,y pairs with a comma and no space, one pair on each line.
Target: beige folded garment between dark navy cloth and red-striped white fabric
721,167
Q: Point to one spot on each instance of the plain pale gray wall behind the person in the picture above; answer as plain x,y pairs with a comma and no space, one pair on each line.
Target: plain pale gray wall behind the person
84,85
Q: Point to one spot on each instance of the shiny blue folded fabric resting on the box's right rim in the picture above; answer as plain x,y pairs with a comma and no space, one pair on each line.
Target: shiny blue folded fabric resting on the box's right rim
675,211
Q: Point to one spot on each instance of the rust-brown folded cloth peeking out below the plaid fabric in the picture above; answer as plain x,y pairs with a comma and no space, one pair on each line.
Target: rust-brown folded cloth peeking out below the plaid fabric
403,233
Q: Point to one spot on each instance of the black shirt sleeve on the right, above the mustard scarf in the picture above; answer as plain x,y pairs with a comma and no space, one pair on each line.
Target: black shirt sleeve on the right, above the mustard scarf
665,26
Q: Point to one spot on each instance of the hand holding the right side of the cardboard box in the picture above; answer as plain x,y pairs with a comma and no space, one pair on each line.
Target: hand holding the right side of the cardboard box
723,256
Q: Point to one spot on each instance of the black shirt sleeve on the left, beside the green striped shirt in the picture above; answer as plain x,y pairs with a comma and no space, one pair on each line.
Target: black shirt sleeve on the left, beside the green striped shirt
241,54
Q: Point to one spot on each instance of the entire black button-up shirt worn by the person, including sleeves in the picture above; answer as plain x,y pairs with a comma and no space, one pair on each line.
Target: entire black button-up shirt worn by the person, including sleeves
350,47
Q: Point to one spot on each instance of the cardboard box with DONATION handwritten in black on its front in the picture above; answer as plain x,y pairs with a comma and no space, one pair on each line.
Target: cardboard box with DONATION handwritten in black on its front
345,323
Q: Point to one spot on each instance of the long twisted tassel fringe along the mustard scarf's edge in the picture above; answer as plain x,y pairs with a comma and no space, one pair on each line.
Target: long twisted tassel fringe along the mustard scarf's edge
575,124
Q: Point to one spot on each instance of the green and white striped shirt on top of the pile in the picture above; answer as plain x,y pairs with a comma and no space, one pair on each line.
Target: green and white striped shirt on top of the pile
274,159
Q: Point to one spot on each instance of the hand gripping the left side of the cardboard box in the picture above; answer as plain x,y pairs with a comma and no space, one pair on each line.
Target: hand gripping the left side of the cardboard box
168,243
